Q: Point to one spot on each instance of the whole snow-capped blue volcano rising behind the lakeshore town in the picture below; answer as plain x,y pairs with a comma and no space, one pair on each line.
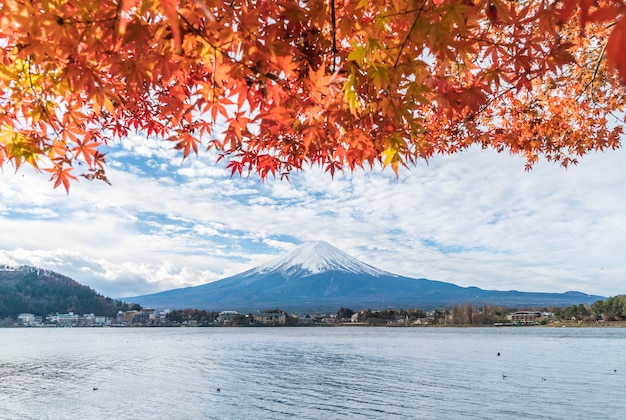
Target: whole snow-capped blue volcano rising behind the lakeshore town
319,277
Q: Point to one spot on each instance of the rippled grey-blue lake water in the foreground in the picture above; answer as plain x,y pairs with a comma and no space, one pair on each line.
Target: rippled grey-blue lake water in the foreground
313,373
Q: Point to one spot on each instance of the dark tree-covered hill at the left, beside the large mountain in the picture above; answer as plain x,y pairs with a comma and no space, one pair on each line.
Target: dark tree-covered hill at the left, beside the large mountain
42,292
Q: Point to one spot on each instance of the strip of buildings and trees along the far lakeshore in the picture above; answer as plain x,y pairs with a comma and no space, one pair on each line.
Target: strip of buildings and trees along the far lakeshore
147,317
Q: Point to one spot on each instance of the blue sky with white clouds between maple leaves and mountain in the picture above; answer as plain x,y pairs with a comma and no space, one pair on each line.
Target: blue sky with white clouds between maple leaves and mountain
473,219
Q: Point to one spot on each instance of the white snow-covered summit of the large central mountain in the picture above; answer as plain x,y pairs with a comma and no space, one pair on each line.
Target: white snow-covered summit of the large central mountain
317,257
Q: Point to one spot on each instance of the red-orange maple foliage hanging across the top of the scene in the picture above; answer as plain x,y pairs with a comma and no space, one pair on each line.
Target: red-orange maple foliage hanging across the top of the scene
277,85
